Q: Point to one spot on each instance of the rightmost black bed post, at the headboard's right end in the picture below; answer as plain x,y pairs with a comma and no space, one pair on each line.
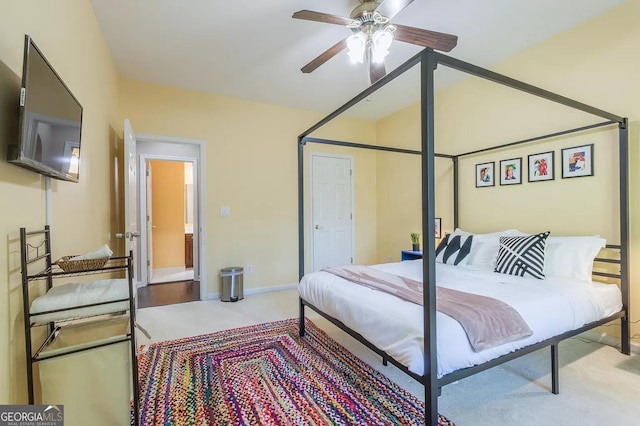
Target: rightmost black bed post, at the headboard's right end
625,333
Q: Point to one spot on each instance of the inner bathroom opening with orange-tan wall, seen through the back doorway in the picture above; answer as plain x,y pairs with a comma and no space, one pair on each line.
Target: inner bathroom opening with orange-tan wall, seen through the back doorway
169,217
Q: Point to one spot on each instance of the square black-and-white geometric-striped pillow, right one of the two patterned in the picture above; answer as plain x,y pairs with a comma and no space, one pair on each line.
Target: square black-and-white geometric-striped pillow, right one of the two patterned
522,256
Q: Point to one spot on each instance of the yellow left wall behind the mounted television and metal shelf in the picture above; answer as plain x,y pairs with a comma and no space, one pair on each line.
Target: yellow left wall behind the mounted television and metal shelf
69,36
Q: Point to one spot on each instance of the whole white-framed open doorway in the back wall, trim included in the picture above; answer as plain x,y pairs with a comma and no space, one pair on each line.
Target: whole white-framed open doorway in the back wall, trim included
186,207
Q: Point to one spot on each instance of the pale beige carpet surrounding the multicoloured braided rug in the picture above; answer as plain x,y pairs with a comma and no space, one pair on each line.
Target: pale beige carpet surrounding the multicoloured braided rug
598,385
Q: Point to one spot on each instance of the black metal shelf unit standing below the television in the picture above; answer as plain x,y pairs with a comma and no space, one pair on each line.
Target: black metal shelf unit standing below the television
34,255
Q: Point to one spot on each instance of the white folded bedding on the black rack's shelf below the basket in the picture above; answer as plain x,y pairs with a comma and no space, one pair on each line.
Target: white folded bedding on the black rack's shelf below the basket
73,296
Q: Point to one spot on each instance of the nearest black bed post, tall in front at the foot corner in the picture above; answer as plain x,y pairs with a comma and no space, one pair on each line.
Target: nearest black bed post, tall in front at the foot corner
428,64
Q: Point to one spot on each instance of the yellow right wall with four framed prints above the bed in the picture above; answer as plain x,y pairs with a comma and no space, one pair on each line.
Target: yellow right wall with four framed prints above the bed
592,63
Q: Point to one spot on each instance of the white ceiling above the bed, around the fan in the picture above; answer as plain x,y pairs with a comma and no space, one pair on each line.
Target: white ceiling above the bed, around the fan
254,49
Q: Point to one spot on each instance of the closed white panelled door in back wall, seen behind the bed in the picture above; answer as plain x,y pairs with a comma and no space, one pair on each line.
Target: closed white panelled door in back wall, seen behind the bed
332,210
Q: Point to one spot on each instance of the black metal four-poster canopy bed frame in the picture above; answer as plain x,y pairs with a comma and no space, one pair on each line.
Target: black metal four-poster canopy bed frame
429,60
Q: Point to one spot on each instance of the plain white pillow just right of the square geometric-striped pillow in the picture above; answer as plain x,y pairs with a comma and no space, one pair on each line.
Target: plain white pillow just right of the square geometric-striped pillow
572,257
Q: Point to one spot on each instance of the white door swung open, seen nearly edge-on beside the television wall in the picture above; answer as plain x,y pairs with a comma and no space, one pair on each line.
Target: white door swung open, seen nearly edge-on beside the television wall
131,233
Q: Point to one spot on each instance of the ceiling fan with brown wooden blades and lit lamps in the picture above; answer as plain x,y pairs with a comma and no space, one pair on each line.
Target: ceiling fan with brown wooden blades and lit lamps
373,34
